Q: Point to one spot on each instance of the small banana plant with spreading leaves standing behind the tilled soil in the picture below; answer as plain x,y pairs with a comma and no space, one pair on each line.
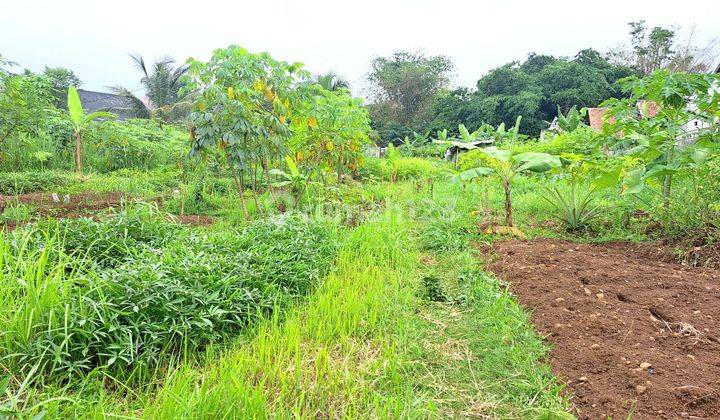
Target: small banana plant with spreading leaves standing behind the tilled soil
507,165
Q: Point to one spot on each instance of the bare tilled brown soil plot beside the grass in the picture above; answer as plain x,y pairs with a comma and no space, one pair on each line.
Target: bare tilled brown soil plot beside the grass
629,333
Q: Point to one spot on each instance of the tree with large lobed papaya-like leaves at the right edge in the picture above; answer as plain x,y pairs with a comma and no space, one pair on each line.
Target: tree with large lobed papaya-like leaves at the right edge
663,143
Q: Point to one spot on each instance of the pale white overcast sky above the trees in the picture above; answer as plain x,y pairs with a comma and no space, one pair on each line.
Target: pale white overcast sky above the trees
93,38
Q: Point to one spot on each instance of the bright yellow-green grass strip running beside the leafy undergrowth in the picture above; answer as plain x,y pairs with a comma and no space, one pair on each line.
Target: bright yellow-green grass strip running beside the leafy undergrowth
335,356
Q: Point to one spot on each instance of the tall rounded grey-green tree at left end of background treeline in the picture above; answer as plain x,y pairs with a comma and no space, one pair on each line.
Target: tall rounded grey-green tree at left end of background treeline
404,84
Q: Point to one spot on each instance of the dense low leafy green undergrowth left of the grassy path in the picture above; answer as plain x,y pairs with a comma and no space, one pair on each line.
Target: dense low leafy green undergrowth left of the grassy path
136,290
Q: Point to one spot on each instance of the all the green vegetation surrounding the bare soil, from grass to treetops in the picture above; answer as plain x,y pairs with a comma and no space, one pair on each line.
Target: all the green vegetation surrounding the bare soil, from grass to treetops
250,258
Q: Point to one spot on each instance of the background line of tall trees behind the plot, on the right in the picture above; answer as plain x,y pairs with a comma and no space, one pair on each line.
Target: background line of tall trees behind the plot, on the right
410,91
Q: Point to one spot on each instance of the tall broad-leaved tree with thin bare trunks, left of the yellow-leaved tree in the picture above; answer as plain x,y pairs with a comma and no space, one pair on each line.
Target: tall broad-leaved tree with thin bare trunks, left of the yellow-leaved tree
242,108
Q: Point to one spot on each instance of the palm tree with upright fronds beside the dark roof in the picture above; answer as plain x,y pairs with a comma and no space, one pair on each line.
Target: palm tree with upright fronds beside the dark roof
162,89
